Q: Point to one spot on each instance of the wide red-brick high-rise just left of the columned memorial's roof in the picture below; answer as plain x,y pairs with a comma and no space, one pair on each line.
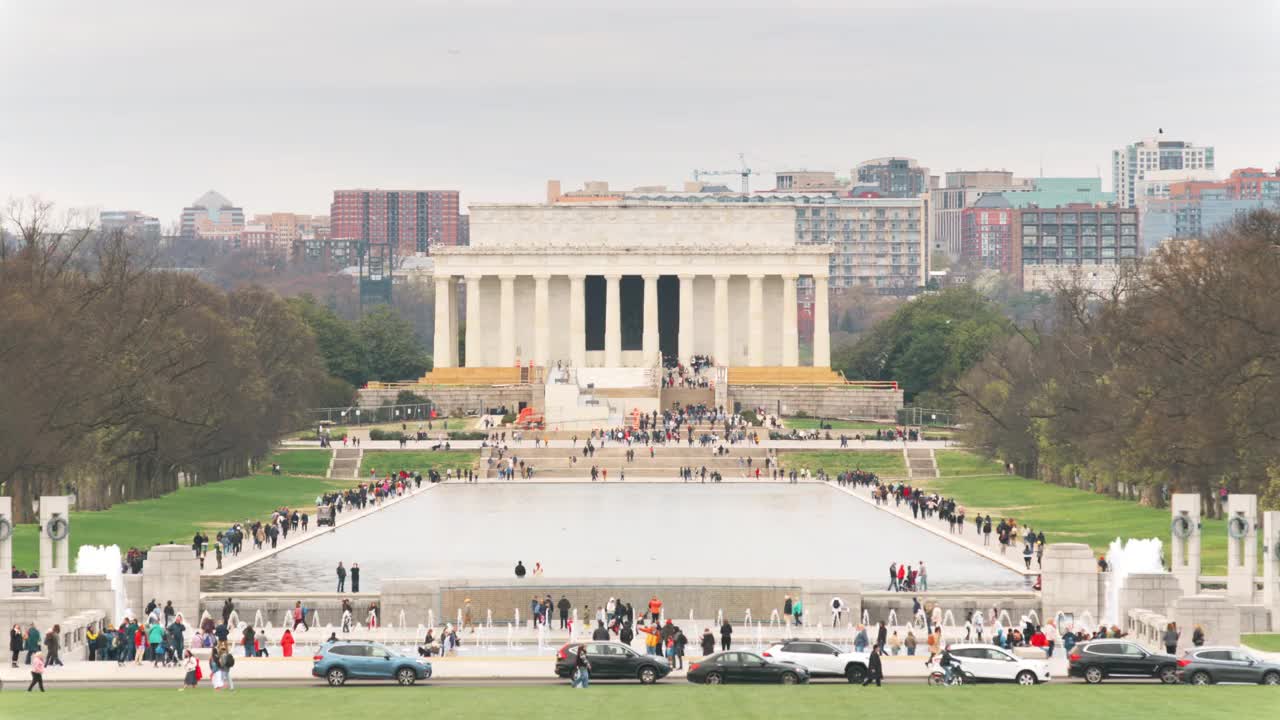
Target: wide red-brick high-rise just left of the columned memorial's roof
410,221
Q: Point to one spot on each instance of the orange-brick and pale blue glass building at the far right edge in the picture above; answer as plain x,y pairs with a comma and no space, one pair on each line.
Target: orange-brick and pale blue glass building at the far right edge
1195,209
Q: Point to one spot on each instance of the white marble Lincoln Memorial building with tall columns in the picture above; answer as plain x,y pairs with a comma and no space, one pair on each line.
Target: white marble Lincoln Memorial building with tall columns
623,286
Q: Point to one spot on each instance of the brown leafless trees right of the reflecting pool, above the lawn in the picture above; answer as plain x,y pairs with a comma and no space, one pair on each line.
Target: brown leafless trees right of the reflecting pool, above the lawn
1167,382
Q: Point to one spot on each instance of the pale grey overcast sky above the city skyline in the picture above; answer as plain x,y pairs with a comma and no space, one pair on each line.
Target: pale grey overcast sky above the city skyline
147,106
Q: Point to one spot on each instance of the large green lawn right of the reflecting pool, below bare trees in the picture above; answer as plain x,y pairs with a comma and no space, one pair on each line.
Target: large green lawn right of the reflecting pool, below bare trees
1076,516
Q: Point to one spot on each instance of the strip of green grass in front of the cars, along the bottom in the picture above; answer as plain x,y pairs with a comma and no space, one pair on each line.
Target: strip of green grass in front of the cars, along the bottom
664,703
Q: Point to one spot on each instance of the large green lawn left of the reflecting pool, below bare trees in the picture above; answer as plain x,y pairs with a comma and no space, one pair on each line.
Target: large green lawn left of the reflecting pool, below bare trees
177,516
